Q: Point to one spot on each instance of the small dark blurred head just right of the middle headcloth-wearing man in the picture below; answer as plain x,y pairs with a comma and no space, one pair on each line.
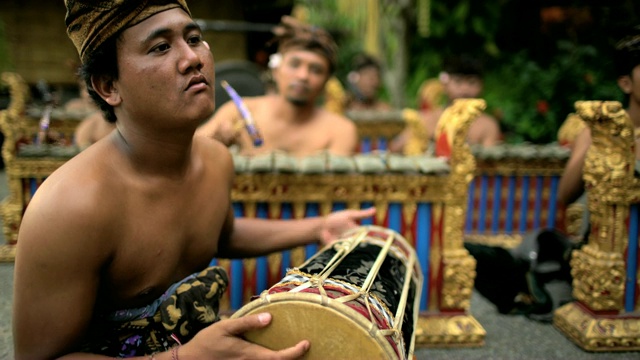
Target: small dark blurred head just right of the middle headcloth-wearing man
365,77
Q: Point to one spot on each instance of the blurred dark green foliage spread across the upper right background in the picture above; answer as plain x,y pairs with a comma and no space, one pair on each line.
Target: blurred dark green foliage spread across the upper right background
533,75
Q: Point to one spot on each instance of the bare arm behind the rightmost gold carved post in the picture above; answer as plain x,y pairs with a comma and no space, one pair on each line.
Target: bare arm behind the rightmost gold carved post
571,184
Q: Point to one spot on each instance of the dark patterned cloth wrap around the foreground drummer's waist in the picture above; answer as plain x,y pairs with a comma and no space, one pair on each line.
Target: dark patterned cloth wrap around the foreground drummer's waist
185,308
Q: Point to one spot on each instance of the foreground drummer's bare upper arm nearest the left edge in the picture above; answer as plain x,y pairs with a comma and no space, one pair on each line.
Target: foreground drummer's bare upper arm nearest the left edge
57,273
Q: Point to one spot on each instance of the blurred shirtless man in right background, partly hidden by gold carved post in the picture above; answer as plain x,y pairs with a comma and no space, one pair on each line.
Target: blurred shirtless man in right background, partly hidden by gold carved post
462,78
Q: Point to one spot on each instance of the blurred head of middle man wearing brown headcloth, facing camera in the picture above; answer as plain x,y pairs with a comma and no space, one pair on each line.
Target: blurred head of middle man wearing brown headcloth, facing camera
308,58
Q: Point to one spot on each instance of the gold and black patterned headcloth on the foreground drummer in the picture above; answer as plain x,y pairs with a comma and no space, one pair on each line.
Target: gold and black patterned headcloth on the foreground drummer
91,22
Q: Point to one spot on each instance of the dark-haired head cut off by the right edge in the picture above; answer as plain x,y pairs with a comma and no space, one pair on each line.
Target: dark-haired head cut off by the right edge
627,63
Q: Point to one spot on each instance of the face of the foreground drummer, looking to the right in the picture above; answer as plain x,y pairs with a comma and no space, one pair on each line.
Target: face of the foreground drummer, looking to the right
165,70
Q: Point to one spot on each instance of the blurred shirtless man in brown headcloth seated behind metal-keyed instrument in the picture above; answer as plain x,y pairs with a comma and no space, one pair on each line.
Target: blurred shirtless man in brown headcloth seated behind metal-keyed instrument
290,120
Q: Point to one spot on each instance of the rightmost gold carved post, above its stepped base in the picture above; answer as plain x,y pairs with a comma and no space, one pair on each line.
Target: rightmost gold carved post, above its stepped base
599,268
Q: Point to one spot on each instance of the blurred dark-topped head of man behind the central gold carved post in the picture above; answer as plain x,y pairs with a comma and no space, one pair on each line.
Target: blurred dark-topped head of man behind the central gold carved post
462,77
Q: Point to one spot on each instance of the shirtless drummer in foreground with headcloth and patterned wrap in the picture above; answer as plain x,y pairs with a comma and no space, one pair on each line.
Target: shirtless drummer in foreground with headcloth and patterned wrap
123,224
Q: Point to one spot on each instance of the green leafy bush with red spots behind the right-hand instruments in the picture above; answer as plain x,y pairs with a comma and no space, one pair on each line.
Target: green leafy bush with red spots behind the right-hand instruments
531,101
